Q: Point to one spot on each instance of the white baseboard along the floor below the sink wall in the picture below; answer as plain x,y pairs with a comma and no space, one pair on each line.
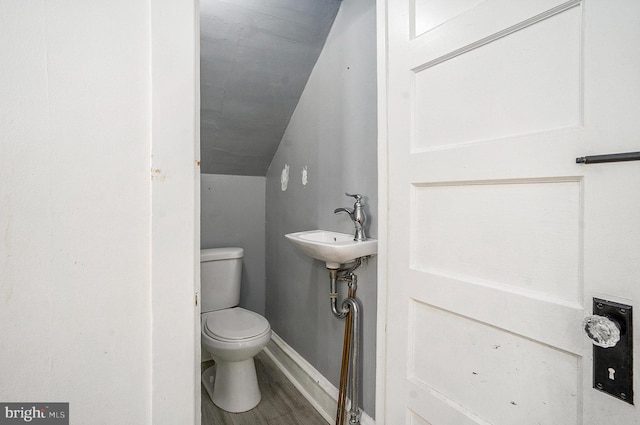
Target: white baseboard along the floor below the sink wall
317,389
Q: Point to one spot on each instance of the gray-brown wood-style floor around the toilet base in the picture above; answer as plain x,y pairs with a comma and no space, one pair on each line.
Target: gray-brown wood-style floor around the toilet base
281,404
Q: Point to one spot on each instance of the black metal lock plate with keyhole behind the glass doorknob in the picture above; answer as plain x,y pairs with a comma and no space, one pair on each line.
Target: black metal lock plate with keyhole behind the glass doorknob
613,367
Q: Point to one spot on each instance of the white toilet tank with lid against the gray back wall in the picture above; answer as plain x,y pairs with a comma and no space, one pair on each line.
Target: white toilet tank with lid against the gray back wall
220,277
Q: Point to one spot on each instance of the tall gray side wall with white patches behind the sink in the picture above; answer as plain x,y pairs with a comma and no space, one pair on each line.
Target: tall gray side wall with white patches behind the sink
333,134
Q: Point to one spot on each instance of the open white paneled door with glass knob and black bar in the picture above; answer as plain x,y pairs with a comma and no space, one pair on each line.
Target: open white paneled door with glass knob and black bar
497,239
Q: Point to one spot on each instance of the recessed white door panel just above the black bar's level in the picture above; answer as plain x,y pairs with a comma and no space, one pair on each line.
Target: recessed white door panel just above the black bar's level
503,88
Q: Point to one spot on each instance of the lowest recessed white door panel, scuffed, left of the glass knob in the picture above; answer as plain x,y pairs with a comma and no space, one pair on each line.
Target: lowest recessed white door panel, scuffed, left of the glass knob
487,360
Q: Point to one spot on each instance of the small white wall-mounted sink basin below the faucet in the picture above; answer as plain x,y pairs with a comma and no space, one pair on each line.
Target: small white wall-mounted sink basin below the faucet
332,247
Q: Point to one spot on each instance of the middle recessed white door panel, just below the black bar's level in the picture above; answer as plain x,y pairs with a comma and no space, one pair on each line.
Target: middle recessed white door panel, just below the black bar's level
452,238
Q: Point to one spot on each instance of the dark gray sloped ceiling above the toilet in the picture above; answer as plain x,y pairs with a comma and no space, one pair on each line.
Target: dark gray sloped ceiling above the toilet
255,59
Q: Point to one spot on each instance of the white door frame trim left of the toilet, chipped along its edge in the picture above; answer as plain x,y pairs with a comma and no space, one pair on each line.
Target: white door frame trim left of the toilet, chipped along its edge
174,92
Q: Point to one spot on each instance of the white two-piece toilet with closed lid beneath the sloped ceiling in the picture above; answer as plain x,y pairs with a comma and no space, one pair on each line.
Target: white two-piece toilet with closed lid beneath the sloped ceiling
231,334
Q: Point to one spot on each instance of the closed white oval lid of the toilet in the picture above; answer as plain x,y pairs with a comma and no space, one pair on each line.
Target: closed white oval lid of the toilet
235,324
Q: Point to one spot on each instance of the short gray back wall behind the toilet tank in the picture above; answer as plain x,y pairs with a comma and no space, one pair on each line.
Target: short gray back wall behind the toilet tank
233,214
